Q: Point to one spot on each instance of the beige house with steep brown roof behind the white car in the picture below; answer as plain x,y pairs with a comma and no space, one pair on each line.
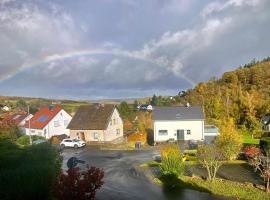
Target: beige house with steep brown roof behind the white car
97,123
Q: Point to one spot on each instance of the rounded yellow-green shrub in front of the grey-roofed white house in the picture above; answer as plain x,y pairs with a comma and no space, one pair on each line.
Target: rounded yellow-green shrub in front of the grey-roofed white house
172,162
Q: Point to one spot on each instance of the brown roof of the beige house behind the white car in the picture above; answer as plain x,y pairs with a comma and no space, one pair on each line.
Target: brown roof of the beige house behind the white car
92,117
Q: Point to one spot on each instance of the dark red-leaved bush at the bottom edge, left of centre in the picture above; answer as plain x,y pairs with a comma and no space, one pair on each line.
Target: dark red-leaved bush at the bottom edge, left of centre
80,185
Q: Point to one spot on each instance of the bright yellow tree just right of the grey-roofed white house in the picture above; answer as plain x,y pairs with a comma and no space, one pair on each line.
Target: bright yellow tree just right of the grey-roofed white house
229,141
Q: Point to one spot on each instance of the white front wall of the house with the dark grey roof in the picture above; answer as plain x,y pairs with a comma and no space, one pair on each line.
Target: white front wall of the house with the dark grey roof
196,128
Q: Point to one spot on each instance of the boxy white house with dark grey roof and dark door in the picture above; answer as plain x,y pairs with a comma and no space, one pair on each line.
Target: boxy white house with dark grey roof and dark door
178,123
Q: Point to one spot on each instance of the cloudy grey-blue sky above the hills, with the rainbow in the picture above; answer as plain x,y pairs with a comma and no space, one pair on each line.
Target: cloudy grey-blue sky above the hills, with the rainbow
95,49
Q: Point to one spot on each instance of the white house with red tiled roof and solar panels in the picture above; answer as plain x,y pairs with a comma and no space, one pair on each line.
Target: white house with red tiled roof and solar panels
48,122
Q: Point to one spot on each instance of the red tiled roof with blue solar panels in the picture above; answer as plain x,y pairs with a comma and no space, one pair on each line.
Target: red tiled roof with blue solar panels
43,117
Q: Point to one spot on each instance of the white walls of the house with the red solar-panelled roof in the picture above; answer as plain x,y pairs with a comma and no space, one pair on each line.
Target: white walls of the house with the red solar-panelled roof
50,129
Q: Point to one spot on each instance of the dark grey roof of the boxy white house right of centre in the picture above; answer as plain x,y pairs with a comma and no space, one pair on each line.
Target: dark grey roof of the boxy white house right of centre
178,113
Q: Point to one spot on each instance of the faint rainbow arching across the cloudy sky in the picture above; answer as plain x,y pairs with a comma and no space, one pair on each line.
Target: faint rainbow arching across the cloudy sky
78,53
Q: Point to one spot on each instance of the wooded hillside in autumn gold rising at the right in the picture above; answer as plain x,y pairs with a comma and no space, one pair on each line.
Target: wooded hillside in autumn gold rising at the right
242,94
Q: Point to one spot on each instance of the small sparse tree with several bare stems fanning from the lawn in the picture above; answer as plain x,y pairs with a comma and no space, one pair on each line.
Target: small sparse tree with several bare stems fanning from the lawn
210,158
